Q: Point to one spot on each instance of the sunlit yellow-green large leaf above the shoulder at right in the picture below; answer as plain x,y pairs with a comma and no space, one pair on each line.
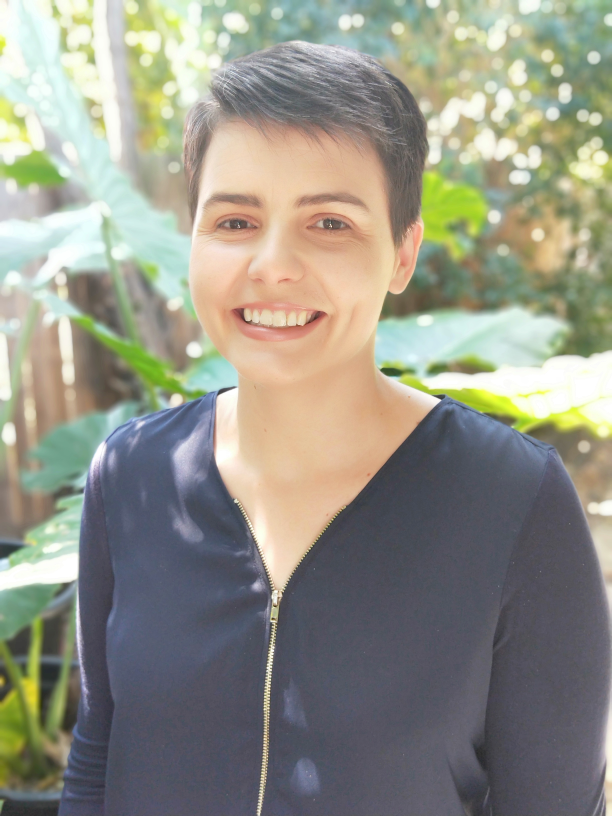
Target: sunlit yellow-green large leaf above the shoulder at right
568,392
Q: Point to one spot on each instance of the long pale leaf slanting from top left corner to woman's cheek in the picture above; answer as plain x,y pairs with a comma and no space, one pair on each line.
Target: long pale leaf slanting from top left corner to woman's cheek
151,236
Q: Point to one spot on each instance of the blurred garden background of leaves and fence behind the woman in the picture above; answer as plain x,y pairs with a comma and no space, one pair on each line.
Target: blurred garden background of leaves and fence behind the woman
509,310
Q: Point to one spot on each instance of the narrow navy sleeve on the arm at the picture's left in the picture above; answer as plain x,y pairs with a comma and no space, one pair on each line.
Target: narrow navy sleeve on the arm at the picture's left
84,778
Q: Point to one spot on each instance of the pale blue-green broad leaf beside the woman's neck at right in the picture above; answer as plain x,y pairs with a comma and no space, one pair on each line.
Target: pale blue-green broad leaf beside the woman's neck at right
486,340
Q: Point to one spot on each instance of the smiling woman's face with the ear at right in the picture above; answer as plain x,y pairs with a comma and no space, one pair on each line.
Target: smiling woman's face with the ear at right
287,227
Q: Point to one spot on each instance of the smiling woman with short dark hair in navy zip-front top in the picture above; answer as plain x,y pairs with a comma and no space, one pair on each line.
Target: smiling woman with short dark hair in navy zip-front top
325,593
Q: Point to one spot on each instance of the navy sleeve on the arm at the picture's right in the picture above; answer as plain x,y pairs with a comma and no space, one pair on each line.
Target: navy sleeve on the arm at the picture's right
550,684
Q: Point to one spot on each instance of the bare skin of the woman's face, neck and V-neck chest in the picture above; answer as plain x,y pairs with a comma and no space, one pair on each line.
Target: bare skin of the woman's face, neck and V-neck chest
313,418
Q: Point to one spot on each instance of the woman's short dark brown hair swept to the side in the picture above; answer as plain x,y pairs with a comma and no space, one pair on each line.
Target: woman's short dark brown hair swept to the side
315,87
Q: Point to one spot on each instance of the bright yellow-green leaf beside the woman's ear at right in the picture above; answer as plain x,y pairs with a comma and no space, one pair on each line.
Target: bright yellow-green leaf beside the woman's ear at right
446,204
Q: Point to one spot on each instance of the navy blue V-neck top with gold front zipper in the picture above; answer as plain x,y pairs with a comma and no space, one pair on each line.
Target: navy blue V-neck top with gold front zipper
443,649
